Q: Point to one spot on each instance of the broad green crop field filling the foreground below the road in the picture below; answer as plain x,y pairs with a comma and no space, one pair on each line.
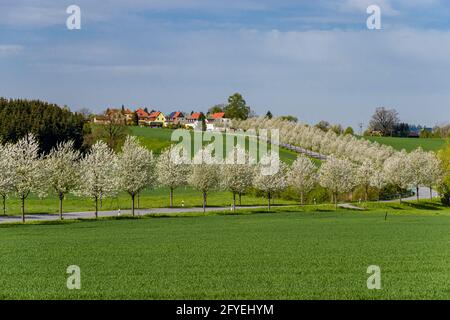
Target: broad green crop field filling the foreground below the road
310,253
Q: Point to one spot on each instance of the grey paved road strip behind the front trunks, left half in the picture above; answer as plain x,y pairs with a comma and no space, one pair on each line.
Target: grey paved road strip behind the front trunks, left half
80,215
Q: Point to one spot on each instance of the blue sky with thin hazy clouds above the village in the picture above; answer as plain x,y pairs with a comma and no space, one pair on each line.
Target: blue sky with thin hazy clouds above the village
313,59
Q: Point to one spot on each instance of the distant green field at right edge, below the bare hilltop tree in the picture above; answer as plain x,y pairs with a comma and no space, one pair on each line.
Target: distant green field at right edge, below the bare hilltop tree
409,144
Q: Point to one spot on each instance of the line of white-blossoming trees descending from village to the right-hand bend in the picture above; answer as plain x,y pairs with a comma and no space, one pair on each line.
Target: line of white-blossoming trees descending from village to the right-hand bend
356,162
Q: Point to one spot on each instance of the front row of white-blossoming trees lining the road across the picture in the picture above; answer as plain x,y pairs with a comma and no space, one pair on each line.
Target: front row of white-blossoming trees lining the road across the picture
102,173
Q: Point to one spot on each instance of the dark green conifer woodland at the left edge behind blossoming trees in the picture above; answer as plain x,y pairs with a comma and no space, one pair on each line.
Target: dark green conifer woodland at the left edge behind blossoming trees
50,123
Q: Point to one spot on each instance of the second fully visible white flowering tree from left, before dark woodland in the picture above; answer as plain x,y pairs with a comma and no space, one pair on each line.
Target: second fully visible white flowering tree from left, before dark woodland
62,171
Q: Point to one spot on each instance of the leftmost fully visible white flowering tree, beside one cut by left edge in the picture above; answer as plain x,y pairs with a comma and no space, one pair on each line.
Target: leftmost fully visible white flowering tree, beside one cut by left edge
27,169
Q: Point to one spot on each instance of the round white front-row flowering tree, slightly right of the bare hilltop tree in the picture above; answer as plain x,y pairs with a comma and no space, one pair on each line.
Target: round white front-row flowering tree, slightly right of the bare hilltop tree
398,172
